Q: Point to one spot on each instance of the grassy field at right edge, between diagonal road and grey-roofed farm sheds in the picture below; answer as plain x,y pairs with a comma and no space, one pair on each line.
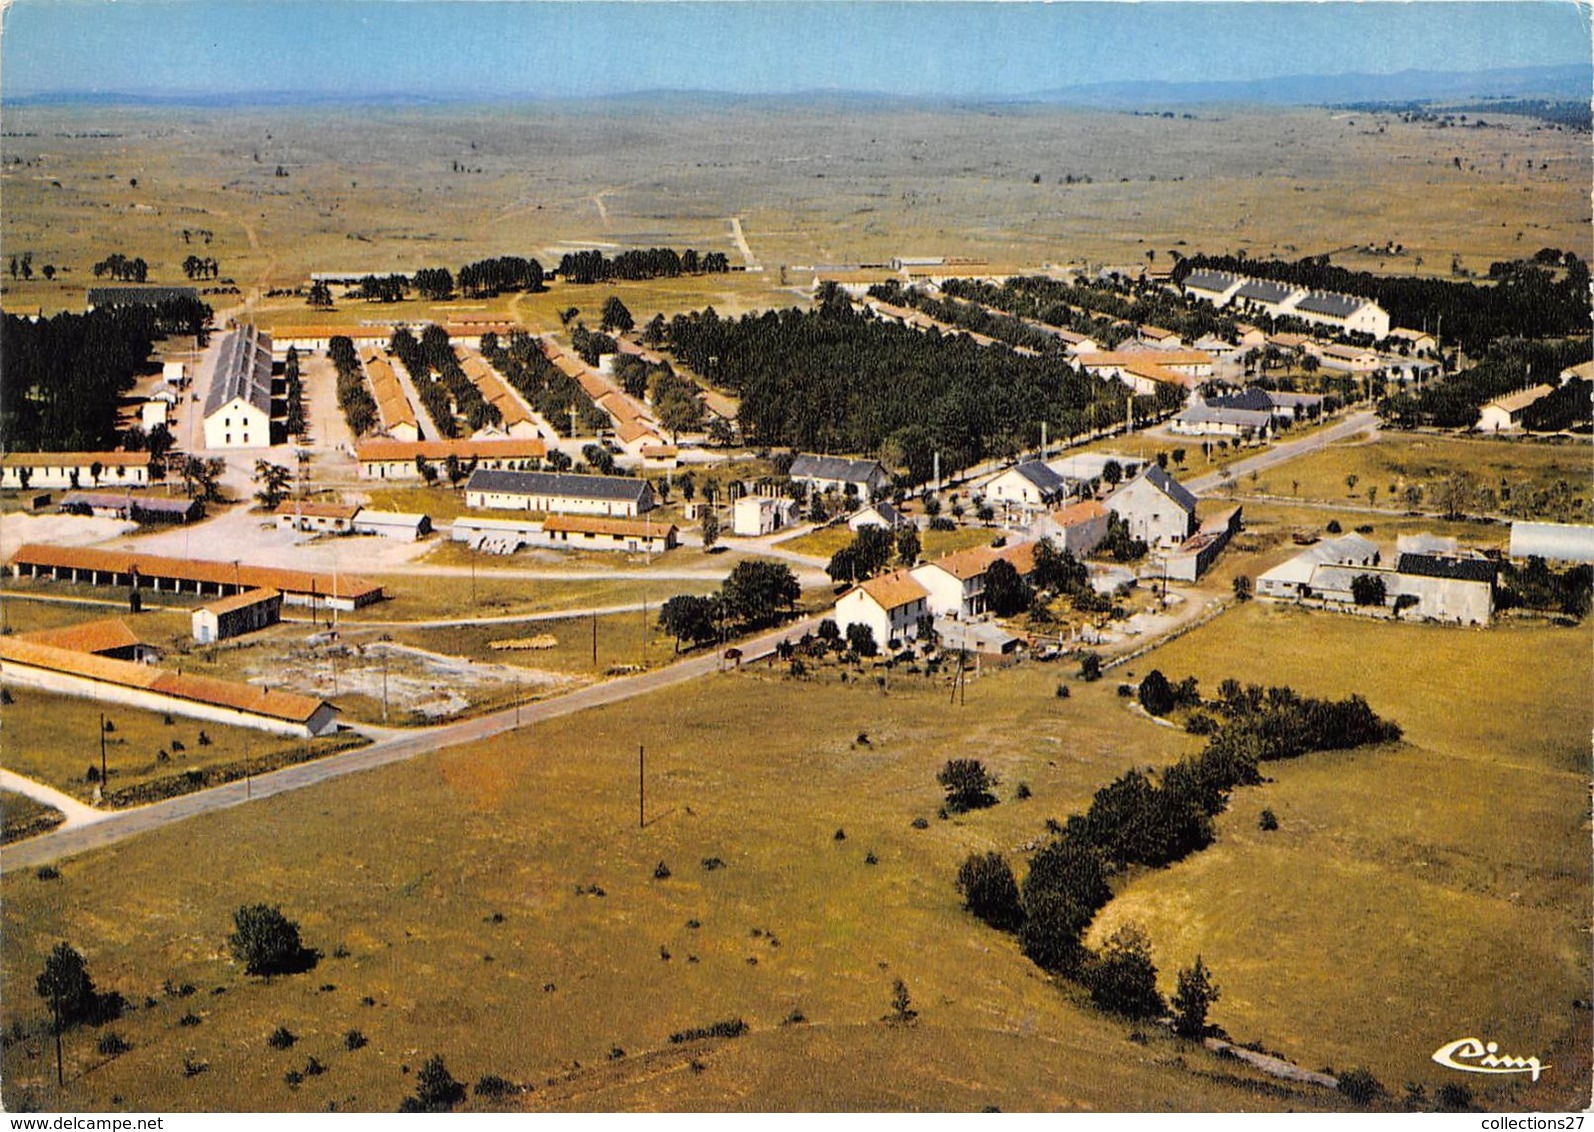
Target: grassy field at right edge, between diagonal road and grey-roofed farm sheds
1394,462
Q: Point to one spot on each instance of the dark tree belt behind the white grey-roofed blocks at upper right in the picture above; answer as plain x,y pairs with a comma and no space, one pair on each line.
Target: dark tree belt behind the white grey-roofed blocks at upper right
1526,302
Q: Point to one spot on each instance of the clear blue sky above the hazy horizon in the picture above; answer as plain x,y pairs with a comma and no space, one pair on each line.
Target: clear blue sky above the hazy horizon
466,49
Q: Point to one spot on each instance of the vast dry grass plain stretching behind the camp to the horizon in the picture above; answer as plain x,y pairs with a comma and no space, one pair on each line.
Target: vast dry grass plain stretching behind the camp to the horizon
375,191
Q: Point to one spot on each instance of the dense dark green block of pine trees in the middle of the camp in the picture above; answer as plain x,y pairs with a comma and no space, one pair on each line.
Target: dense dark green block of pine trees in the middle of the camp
839,382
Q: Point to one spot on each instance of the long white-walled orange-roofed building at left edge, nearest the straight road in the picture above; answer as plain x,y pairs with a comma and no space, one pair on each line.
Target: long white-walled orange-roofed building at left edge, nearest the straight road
84,675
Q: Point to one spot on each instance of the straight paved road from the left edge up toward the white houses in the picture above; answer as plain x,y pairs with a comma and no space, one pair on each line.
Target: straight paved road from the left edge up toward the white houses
130,823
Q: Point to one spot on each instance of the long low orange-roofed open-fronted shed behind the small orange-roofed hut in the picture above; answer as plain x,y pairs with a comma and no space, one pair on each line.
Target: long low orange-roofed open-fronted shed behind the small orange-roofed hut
120,568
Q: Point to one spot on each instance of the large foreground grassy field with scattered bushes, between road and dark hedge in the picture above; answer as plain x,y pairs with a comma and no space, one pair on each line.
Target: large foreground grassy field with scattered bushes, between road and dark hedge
525,827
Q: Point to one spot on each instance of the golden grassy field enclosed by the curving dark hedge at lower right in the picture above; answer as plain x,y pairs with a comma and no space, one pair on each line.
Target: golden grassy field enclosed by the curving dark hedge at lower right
1356,934
